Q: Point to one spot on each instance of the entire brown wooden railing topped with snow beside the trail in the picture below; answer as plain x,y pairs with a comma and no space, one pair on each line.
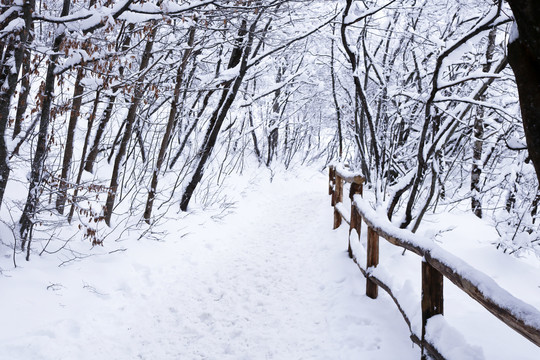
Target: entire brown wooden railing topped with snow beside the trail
437,263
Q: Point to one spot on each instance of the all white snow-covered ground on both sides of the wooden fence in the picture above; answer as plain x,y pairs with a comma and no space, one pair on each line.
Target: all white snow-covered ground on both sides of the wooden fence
262,277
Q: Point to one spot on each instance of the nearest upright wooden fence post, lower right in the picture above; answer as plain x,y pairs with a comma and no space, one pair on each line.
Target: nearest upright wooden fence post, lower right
432,297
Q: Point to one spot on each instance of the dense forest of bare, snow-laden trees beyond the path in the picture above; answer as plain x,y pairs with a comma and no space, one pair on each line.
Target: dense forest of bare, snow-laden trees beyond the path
114,113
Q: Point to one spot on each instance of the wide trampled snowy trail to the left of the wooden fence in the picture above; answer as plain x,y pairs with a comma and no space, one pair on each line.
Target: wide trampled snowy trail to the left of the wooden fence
270,281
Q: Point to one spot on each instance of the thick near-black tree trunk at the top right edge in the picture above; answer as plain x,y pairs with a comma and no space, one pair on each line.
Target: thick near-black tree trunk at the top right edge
524,58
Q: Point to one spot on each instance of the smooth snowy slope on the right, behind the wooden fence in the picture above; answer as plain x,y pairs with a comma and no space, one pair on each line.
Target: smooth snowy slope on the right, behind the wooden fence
468,330
